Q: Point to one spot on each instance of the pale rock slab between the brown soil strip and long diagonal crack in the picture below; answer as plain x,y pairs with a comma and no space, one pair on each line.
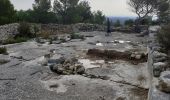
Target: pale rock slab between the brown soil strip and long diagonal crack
121,71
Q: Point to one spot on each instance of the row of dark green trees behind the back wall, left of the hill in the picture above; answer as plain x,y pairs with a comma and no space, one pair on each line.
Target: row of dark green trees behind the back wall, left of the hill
43,11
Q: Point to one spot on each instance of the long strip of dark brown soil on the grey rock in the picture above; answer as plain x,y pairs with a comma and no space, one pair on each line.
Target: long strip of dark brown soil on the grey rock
116,55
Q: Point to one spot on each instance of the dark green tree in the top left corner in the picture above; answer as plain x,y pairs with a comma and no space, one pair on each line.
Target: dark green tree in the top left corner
6,12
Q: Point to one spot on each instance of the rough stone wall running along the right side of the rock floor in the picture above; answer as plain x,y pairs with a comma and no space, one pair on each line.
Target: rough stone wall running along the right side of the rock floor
158,69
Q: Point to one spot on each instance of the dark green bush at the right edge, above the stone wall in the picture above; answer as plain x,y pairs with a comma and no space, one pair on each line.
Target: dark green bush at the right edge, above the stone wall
164,36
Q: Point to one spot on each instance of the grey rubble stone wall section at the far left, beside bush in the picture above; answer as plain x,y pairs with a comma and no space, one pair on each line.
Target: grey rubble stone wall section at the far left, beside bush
8,30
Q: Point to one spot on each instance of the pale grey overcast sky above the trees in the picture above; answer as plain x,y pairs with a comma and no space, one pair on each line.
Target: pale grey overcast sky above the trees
109,7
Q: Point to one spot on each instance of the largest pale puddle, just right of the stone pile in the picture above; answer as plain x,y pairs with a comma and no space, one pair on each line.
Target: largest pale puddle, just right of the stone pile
91,64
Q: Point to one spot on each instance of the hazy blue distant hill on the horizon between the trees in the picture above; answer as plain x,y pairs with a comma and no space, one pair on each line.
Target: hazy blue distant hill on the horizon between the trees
121,18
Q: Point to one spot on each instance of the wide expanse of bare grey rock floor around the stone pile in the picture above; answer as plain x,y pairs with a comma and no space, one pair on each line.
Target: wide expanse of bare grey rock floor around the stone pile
27,74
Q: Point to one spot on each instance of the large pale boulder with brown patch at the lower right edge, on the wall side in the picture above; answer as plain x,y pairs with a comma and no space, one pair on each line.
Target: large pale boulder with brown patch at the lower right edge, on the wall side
164,82
